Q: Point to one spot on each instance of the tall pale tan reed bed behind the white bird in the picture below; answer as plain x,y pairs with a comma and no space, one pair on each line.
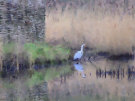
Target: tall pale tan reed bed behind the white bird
106,32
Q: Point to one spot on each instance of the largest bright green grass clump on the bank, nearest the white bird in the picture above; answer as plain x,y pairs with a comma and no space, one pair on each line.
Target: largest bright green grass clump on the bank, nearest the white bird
46,52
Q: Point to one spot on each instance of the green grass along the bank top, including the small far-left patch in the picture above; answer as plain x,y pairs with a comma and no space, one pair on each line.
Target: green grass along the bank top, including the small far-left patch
42,51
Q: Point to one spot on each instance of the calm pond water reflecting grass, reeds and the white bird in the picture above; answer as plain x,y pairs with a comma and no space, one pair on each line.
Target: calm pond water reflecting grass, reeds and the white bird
102,80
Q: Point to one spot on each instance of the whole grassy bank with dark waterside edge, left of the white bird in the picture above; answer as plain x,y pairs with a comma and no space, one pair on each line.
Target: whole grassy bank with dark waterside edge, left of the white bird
30,54
